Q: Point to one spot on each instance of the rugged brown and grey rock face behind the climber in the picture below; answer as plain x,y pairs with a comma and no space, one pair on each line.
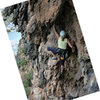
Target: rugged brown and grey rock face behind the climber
35,20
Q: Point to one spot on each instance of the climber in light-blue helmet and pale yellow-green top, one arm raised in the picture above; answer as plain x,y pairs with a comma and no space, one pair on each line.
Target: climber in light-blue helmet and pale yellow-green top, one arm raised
62,46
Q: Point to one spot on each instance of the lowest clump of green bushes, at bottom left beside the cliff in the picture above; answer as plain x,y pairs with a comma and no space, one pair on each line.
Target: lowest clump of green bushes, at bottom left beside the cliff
27,82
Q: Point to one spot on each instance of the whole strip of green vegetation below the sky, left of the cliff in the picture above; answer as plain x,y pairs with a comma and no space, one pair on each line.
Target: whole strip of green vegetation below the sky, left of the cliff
27,76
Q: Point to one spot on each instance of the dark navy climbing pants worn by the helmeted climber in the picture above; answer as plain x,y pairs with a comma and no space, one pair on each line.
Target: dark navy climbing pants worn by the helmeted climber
58,51
